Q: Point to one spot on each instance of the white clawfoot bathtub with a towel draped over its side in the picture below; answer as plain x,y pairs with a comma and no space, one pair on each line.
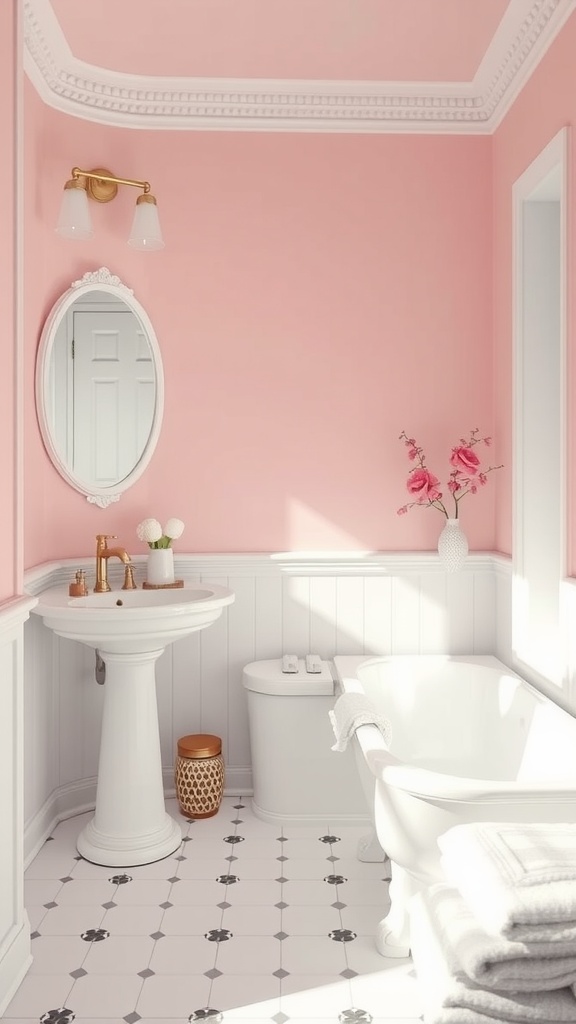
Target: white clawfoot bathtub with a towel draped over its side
471,742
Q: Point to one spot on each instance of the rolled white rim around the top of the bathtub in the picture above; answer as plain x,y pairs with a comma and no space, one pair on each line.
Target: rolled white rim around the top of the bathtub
430,785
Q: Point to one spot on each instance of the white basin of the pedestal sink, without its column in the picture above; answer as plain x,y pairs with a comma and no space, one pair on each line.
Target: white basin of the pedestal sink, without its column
132,621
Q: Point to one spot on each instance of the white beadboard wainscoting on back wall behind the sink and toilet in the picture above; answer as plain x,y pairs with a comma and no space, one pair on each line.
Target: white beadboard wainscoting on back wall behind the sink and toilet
326,605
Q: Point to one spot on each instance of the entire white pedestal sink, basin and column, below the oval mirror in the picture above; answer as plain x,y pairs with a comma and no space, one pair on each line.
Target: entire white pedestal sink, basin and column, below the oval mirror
131,629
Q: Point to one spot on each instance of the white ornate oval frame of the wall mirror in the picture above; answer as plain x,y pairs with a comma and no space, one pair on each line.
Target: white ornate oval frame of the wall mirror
101,281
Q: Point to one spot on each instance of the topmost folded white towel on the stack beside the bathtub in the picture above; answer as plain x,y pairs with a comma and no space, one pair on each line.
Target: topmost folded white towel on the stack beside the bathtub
519,880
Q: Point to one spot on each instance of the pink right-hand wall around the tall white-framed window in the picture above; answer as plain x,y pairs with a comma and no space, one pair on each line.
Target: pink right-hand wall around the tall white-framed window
547,105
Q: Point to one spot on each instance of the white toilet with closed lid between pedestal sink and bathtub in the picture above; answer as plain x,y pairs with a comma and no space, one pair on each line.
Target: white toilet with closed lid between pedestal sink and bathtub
298,779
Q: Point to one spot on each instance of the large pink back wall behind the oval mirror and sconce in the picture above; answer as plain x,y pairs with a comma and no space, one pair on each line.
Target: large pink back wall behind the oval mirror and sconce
317,295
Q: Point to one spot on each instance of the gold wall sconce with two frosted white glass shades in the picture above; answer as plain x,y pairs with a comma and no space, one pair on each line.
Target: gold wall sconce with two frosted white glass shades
102,186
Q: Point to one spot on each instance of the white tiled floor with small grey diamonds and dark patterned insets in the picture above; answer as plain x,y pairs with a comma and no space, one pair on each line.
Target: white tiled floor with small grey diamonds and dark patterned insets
248,920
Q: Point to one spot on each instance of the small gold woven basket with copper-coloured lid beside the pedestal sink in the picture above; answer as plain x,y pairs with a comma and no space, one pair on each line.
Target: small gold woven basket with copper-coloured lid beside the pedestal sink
199,776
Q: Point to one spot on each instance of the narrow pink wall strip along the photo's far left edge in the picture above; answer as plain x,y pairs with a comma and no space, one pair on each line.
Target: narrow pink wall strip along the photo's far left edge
11,564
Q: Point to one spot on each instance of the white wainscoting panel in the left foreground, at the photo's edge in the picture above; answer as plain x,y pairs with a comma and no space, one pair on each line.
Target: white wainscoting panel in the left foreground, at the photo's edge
15,928
